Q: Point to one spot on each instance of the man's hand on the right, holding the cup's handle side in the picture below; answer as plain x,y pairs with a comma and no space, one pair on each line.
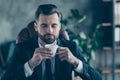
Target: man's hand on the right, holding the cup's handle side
65,54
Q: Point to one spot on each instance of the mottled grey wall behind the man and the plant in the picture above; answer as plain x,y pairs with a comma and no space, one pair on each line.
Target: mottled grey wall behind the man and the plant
16,14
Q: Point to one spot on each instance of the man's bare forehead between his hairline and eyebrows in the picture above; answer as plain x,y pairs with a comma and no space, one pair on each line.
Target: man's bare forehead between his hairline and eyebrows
49,18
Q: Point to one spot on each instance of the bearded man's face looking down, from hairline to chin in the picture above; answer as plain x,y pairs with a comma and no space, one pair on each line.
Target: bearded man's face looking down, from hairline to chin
48,27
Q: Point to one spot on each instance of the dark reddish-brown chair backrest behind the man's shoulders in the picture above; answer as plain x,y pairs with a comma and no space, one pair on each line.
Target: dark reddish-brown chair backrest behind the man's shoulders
29,32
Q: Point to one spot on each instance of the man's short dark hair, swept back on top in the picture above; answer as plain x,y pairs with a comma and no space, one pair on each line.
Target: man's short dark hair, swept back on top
47,9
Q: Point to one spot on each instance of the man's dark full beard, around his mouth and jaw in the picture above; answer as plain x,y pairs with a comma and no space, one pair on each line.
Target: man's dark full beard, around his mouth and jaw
47,38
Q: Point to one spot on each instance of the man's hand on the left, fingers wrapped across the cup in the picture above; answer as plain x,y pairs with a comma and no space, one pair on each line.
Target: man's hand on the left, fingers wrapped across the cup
39,55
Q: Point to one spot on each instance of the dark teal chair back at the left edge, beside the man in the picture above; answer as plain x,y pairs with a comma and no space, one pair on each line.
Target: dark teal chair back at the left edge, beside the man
6,52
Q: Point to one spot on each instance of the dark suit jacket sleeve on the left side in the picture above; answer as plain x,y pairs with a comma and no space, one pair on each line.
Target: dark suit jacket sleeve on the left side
15,70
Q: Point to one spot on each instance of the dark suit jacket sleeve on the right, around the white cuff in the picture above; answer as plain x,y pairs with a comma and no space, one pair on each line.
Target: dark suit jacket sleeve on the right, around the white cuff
88,73
